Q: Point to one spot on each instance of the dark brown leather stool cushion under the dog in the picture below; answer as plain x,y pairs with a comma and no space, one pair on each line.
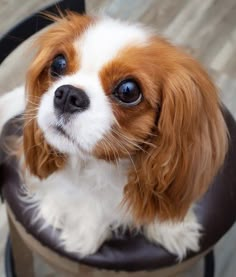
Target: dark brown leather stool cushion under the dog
216,211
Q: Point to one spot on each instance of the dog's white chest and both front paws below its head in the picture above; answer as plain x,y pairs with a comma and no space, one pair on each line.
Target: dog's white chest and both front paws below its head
83,200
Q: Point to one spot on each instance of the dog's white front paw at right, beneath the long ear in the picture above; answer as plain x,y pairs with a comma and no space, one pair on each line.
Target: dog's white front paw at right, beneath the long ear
177,238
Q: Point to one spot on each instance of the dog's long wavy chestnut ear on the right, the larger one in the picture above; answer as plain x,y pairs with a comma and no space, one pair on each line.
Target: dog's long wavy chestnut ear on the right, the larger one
189,145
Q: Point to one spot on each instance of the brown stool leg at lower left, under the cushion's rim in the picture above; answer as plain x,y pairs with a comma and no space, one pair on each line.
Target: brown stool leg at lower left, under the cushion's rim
22,256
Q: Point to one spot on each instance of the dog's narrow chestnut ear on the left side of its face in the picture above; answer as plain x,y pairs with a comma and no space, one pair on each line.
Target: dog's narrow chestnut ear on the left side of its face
40,158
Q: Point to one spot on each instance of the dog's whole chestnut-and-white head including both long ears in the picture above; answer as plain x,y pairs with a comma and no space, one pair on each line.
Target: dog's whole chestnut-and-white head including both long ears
111,90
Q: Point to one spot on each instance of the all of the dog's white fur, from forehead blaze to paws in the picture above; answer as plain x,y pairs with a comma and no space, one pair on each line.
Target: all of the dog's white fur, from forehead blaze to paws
84,198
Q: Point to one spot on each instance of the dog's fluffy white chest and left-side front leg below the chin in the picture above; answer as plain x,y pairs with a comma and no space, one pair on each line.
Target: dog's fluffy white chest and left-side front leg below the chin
83,200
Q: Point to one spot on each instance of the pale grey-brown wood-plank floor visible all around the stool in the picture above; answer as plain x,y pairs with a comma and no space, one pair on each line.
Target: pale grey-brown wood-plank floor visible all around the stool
207,29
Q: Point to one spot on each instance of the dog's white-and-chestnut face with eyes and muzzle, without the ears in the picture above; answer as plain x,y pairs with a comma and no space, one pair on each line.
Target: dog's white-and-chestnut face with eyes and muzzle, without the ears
100,99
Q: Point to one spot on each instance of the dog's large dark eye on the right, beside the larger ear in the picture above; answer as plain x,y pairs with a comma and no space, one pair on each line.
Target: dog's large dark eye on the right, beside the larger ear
128,93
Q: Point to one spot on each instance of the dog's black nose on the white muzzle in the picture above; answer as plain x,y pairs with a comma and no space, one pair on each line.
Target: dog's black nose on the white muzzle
69,99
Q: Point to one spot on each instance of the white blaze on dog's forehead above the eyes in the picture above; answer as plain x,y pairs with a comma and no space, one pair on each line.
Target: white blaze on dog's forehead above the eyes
103,41
